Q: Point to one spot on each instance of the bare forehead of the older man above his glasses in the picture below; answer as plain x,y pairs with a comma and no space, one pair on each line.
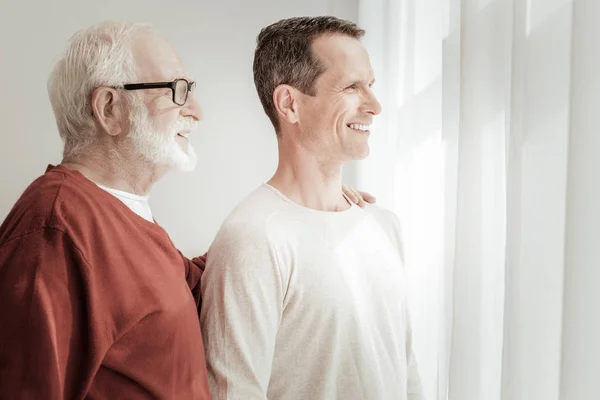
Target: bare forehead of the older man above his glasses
156,59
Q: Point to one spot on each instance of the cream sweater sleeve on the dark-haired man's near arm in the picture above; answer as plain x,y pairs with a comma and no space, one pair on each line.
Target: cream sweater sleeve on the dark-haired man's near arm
242,294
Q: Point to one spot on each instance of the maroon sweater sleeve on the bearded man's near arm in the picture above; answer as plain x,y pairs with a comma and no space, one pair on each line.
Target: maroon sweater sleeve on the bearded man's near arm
48,336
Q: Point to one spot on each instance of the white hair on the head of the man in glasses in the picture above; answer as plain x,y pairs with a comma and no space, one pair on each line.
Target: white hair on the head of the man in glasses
97,56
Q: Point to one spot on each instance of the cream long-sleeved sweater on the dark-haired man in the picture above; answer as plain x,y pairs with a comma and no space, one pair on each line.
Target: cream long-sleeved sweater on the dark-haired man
306,304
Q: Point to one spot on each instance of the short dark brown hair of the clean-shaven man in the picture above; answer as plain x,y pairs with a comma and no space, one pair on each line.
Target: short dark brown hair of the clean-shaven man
283,55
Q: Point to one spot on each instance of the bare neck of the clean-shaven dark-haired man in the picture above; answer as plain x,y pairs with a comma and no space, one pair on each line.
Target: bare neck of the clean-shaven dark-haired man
308,180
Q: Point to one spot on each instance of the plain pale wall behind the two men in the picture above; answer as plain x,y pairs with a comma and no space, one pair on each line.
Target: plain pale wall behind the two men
235,142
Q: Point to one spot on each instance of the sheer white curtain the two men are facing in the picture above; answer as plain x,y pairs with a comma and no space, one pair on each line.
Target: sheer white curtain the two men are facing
489,151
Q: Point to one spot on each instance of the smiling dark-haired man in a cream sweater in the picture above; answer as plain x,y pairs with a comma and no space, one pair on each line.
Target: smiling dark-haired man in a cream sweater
305,293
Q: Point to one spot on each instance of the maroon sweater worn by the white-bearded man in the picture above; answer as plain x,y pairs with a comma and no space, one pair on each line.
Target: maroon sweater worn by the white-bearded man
95,301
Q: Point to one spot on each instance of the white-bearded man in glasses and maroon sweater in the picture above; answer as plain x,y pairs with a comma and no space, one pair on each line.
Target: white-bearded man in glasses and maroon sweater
96,300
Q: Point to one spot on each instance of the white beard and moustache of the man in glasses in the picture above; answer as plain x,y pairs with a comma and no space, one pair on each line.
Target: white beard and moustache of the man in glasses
161,148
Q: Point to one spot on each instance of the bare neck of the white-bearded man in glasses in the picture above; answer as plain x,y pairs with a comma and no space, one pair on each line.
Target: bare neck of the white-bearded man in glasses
109,168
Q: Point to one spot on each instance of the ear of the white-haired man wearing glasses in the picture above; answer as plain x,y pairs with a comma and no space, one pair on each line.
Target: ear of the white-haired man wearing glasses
108,108
